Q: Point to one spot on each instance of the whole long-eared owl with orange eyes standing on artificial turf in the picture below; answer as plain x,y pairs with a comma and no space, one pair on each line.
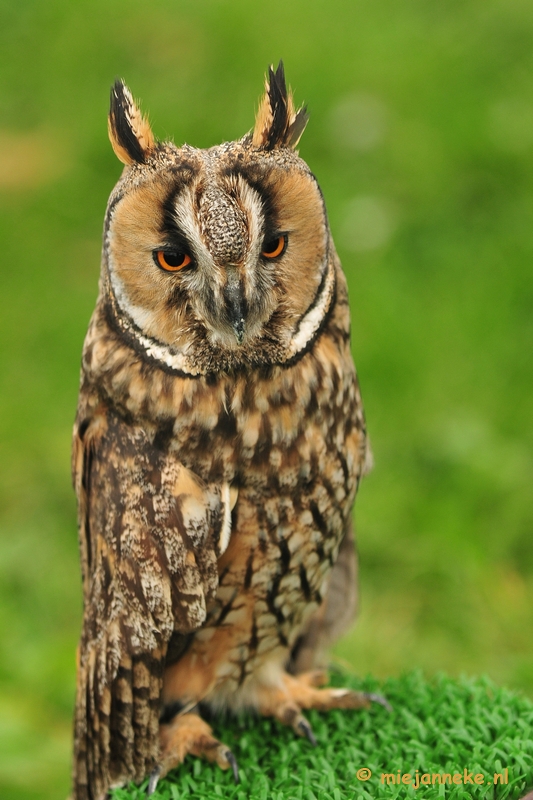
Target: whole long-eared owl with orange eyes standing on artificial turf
218,445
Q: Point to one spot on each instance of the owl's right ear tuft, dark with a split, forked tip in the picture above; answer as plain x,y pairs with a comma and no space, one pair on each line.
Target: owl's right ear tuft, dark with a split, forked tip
277,124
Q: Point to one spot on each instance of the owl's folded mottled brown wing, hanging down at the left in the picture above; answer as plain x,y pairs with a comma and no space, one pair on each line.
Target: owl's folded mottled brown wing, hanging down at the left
150,535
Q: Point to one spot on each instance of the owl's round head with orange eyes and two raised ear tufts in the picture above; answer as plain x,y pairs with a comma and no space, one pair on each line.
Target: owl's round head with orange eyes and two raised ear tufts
220,258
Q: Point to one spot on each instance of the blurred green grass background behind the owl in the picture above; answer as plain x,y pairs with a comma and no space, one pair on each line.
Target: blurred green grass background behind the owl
421,136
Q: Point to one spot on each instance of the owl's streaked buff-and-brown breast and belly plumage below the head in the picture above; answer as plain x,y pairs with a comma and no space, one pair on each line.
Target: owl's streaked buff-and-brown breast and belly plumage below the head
291,440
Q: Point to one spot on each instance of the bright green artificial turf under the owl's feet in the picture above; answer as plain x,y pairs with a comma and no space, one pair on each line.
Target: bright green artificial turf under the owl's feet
443,726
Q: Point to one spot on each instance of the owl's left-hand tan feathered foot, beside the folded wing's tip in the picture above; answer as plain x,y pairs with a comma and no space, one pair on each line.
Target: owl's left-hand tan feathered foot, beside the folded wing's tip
188,734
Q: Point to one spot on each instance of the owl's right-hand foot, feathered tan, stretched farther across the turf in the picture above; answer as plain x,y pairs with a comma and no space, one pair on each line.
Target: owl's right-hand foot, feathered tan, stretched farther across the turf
285,703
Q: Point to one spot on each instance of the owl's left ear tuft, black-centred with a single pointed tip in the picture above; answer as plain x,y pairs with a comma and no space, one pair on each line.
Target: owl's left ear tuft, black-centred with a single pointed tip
130,133
